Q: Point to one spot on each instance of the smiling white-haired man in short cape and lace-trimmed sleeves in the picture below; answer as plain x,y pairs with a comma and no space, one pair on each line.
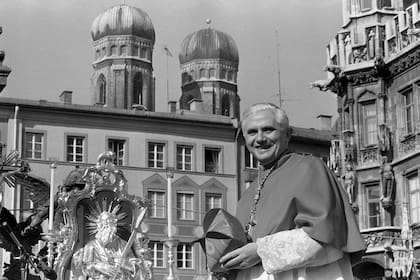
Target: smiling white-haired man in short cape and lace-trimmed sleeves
297,217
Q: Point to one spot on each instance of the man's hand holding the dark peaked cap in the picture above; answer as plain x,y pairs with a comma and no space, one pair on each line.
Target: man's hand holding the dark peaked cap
241,258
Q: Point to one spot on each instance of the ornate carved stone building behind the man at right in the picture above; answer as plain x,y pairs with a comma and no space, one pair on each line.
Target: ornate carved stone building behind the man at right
373,68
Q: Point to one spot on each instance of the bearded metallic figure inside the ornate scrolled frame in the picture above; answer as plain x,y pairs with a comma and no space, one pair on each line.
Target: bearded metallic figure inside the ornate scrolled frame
102,258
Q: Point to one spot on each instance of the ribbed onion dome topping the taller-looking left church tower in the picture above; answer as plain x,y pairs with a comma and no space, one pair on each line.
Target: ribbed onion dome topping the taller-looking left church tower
123,20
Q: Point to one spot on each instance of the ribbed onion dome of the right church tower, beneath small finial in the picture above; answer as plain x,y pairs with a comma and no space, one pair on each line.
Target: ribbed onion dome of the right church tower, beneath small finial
208,44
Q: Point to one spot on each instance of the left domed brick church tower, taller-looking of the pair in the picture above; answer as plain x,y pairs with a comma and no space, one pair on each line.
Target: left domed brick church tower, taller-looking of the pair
123,39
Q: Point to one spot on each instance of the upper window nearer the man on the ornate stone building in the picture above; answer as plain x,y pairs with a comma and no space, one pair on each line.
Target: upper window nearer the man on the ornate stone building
369,126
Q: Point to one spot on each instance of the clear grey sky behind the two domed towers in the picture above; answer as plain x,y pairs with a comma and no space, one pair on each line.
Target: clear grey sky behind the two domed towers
49,48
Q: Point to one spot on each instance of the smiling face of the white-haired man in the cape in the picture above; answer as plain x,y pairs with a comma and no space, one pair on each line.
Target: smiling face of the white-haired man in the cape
265,138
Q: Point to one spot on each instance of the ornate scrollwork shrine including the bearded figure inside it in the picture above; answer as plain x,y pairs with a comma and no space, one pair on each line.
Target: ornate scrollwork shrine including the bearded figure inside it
104,198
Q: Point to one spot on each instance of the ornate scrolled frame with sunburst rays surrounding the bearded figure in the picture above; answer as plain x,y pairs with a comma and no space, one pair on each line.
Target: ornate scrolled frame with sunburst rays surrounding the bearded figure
76,218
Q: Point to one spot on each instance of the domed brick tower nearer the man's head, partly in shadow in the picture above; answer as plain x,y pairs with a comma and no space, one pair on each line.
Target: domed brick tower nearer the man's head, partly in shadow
209,64
